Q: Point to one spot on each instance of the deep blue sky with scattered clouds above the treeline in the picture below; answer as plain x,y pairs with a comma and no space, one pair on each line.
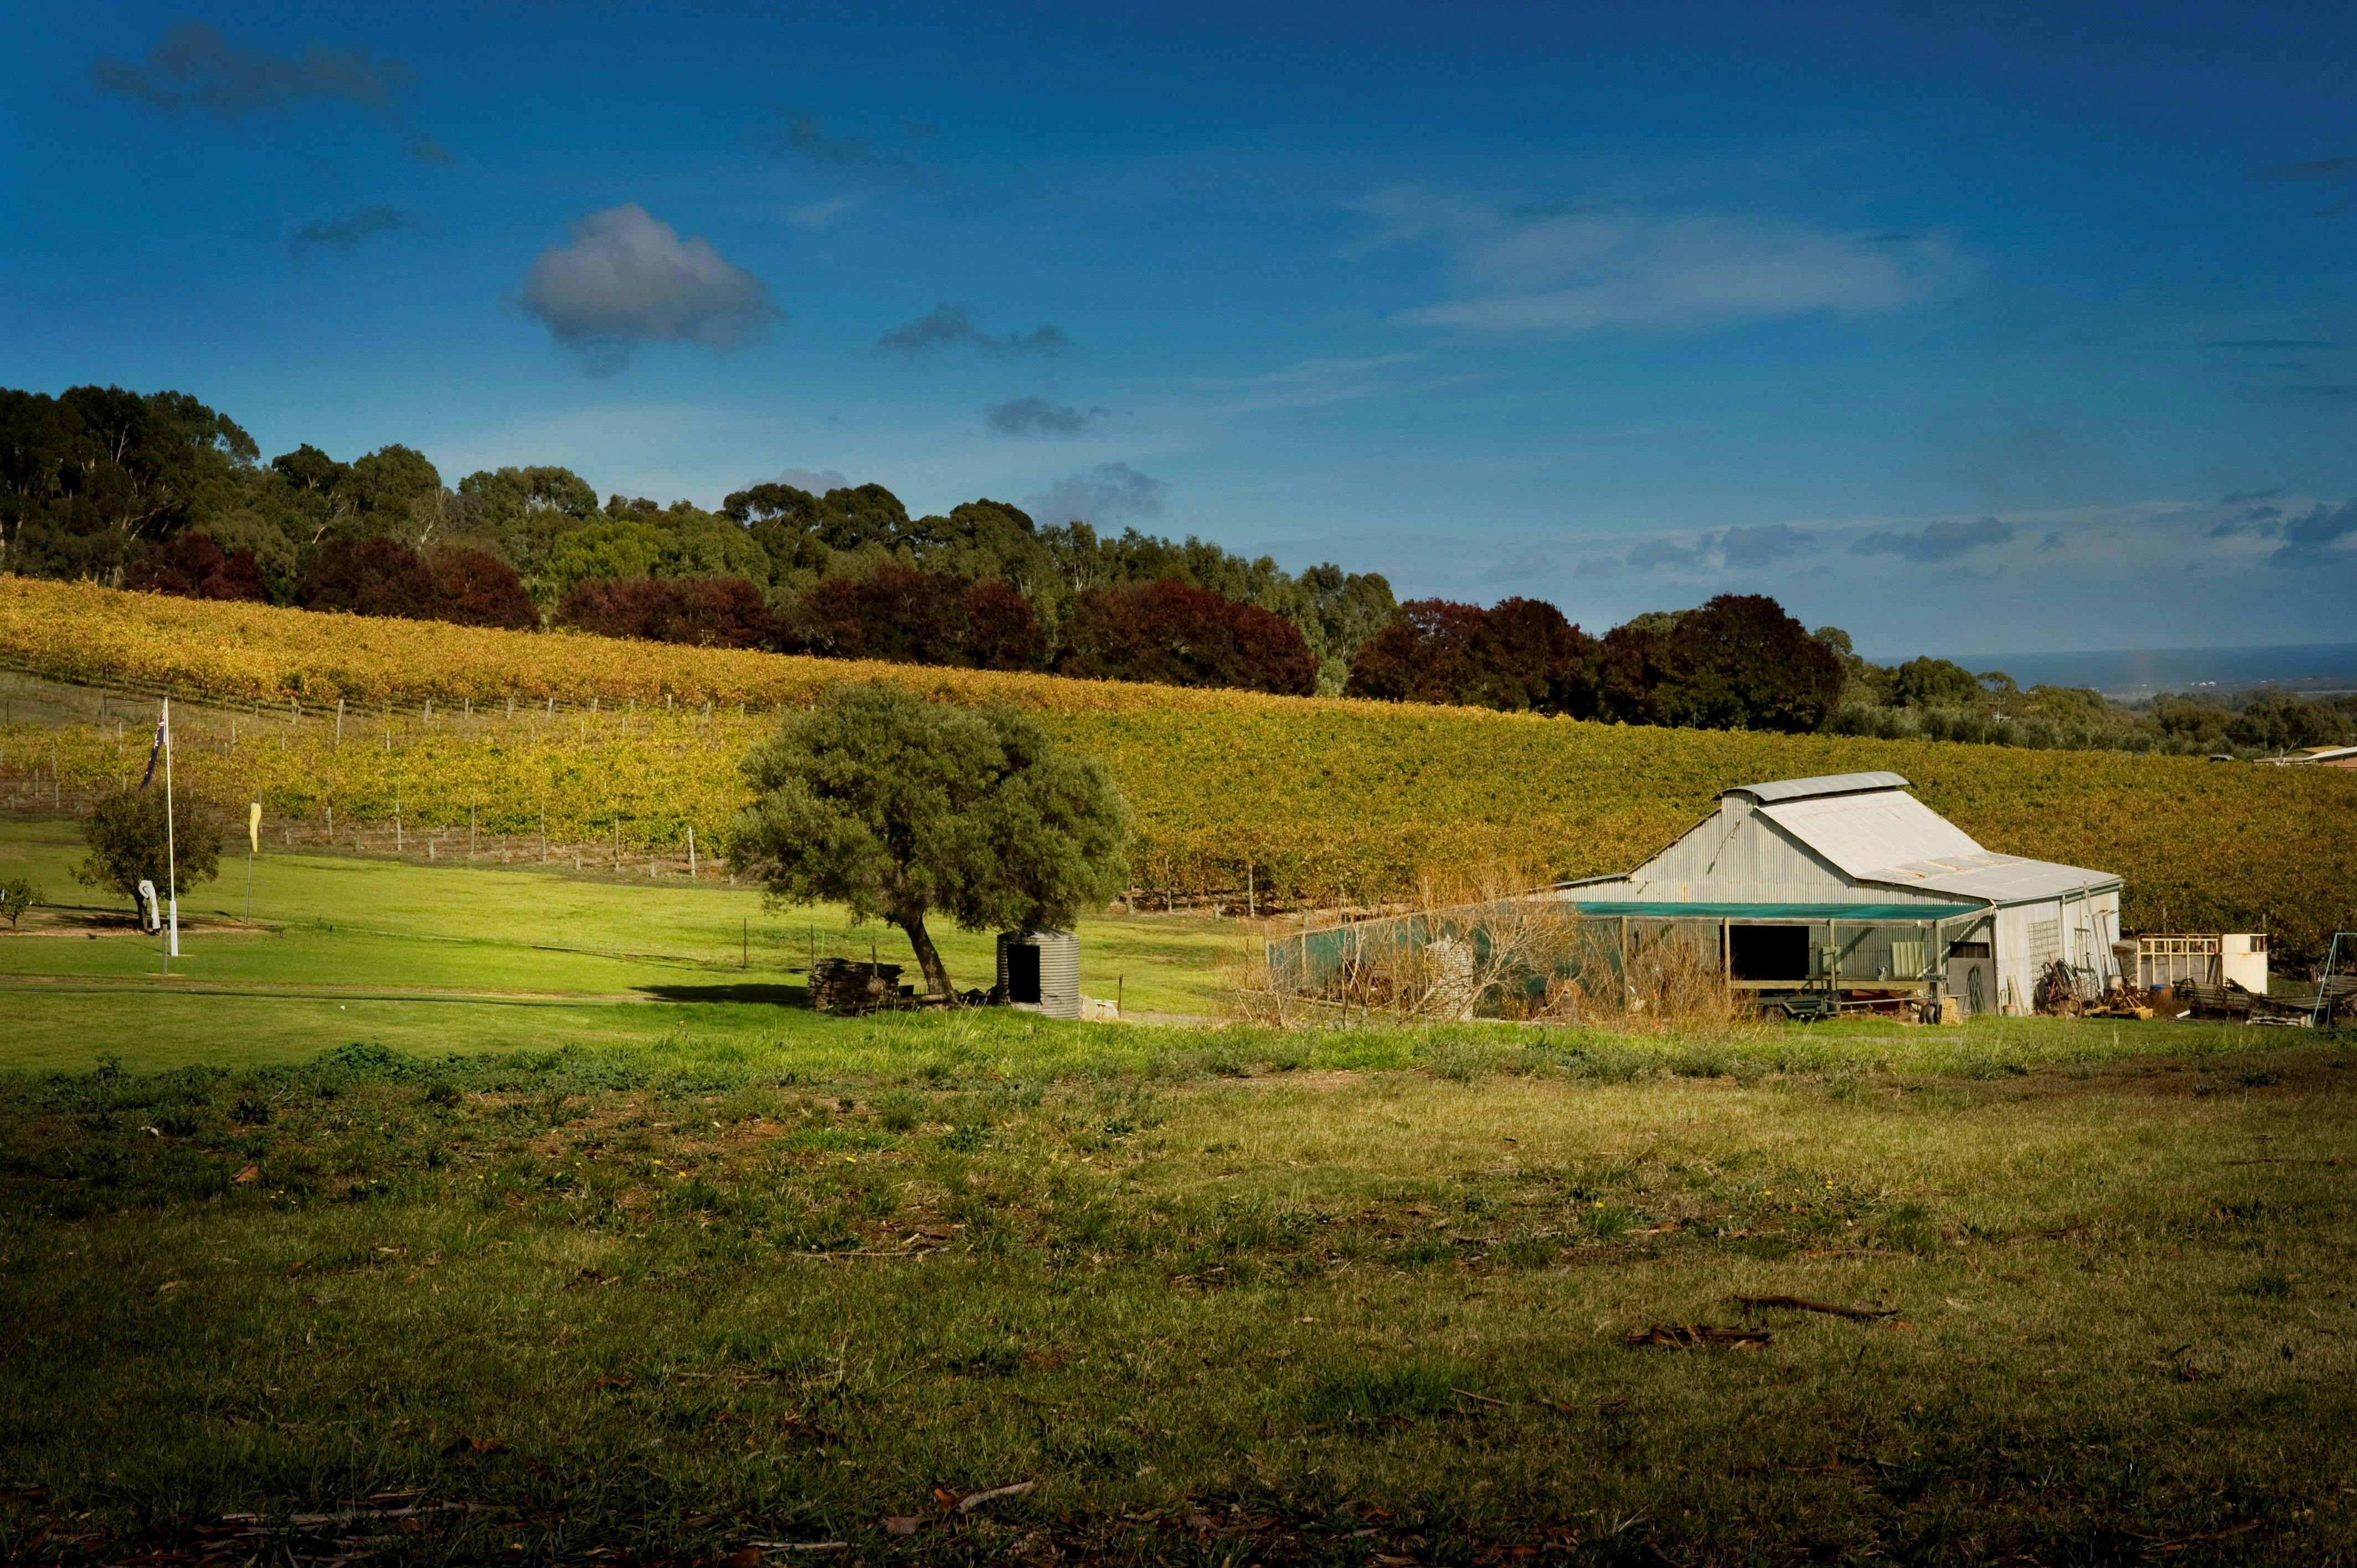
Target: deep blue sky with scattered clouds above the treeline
1974,331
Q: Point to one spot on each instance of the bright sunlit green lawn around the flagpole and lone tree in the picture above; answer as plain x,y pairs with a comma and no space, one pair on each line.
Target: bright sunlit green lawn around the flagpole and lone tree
407,930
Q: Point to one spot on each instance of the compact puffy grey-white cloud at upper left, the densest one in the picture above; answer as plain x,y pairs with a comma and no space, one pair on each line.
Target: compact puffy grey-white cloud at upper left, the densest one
628,279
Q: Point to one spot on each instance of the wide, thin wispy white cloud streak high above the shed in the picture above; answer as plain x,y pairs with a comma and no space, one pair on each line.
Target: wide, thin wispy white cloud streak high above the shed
1595,268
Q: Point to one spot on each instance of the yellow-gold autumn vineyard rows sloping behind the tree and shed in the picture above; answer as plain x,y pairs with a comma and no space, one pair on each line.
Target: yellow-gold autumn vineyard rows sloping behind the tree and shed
1319,801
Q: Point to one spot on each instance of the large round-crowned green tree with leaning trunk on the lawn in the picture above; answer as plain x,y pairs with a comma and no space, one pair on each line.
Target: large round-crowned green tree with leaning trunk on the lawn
902,808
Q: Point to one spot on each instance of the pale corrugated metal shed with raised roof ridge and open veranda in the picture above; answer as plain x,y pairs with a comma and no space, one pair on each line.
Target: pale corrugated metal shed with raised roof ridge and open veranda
1849,881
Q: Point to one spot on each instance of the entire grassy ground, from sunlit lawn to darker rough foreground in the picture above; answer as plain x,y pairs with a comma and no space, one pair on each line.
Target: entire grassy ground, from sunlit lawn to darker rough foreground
574,1272
